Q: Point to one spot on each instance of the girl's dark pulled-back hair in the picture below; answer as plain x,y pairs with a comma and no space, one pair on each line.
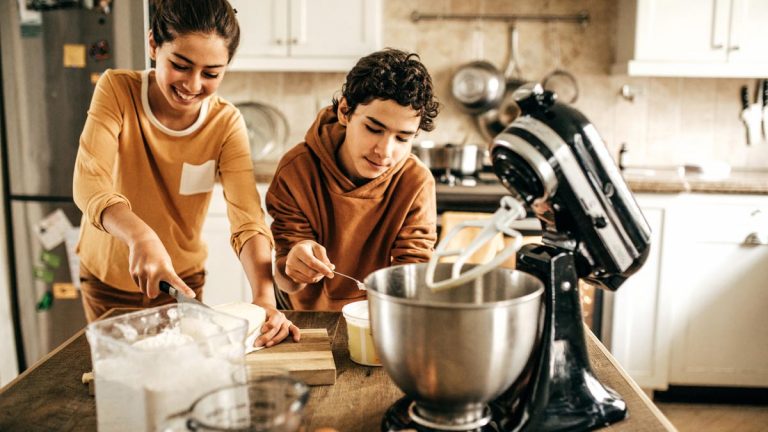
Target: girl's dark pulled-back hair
178,17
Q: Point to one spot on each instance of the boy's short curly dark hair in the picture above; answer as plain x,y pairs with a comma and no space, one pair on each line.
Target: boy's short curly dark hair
391,74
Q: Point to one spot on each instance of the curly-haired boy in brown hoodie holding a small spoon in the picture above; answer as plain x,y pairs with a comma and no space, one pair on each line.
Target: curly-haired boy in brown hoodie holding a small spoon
352,197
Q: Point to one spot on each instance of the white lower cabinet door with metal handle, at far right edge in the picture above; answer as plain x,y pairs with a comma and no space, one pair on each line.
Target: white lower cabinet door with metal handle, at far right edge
717,274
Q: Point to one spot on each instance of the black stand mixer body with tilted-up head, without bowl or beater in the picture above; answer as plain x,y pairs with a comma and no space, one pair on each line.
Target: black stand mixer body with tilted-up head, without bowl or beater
553,159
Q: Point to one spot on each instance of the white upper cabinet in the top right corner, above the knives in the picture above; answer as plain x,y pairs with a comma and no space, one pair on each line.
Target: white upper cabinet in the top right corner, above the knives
692,38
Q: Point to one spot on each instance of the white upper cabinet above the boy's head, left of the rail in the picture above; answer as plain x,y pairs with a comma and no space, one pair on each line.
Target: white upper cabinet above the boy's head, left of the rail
305,35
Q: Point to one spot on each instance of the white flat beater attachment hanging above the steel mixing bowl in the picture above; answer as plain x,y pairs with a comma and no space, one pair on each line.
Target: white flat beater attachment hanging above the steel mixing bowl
509,211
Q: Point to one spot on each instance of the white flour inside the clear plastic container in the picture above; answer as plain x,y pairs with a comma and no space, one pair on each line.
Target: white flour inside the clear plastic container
163,375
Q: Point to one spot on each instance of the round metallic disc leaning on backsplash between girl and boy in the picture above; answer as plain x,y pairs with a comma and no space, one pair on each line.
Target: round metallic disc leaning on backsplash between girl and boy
267,130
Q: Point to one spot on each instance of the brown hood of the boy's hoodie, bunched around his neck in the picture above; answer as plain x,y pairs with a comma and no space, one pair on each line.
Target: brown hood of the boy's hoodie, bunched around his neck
324,138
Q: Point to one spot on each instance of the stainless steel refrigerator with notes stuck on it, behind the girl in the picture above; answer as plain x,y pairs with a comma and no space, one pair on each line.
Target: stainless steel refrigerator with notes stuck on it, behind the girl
51,59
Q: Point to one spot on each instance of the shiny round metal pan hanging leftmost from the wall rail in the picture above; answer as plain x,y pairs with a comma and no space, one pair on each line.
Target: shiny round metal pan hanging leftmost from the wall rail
478,85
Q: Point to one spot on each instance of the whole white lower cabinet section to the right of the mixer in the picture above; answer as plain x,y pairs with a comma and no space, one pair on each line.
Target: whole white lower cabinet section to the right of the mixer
694,315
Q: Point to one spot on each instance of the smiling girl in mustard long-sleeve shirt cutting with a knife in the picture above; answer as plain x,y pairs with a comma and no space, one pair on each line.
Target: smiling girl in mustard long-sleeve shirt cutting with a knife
152,146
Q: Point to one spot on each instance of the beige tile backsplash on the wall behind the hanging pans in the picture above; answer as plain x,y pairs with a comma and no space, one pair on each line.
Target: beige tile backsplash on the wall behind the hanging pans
670,121
